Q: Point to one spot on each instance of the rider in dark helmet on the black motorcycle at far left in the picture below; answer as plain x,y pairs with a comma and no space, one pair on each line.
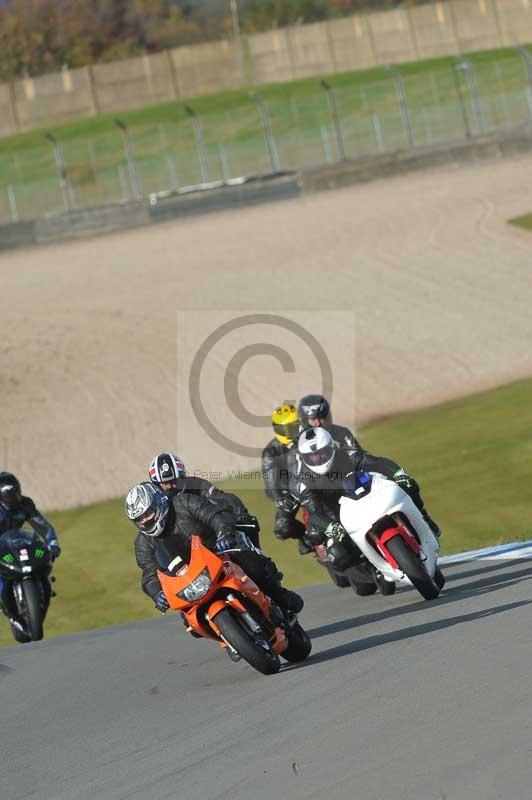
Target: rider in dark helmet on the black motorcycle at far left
15,510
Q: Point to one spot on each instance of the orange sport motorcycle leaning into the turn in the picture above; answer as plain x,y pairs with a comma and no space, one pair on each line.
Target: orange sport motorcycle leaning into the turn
219,601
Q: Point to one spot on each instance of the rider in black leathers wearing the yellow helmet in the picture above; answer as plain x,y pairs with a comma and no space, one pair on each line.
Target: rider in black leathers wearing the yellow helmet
278,459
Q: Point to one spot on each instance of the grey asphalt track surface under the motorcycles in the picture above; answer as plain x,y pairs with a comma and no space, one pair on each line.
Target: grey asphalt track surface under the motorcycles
401,698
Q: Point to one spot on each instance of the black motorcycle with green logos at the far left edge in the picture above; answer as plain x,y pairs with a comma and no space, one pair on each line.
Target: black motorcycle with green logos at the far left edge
25,583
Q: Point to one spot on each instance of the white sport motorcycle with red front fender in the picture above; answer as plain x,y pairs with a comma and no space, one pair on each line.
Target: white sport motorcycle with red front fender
390,531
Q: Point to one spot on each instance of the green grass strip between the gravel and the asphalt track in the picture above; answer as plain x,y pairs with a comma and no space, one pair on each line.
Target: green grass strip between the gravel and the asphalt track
473,458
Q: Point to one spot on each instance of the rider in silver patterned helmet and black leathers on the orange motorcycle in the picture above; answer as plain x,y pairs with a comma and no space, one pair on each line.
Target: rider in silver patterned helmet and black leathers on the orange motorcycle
156,516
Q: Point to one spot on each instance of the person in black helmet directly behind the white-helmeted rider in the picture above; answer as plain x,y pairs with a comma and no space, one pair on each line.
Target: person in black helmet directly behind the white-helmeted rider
315,412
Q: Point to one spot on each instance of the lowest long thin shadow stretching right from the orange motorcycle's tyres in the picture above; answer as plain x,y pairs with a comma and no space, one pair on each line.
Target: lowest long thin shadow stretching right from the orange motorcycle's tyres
404,633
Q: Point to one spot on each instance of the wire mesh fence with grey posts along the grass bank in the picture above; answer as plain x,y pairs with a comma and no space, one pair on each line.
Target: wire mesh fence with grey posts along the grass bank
313,124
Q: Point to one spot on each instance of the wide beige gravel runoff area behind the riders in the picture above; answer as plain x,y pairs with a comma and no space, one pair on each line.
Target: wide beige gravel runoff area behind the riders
440,284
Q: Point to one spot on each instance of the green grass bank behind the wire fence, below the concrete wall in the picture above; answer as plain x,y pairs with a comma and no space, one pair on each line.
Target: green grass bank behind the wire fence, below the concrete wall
165,147
